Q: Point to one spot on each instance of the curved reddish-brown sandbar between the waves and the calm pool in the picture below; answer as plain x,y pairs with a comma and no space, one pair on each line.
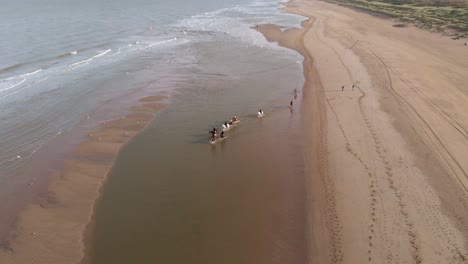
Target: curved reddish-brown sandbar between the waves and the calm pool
52,230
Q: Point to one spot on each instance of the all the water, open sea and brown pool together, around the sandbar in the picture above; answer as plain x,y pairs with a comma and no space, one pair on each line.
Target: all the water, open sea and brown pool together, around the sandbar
171,196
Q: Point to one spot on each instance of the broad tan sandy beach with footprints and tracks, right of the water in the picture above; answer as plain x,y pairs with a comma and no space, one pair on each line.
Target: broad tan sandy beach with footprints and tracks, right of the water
387,161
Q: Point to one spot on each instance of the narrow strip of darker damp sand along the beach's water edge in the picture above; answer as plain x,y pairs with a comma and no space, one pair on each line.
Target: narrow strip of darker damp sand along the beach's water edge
313,111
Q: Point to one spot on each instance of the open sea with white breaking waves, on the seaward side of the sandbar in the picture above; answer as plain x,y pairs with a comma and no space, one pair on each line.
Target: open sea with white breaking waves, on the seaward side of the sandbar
61,61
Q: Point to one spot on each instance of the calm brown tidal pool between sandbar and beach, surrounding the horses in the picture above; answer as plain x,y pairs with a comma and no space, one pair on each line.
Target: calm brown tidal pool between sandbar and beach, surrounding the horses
174,198
